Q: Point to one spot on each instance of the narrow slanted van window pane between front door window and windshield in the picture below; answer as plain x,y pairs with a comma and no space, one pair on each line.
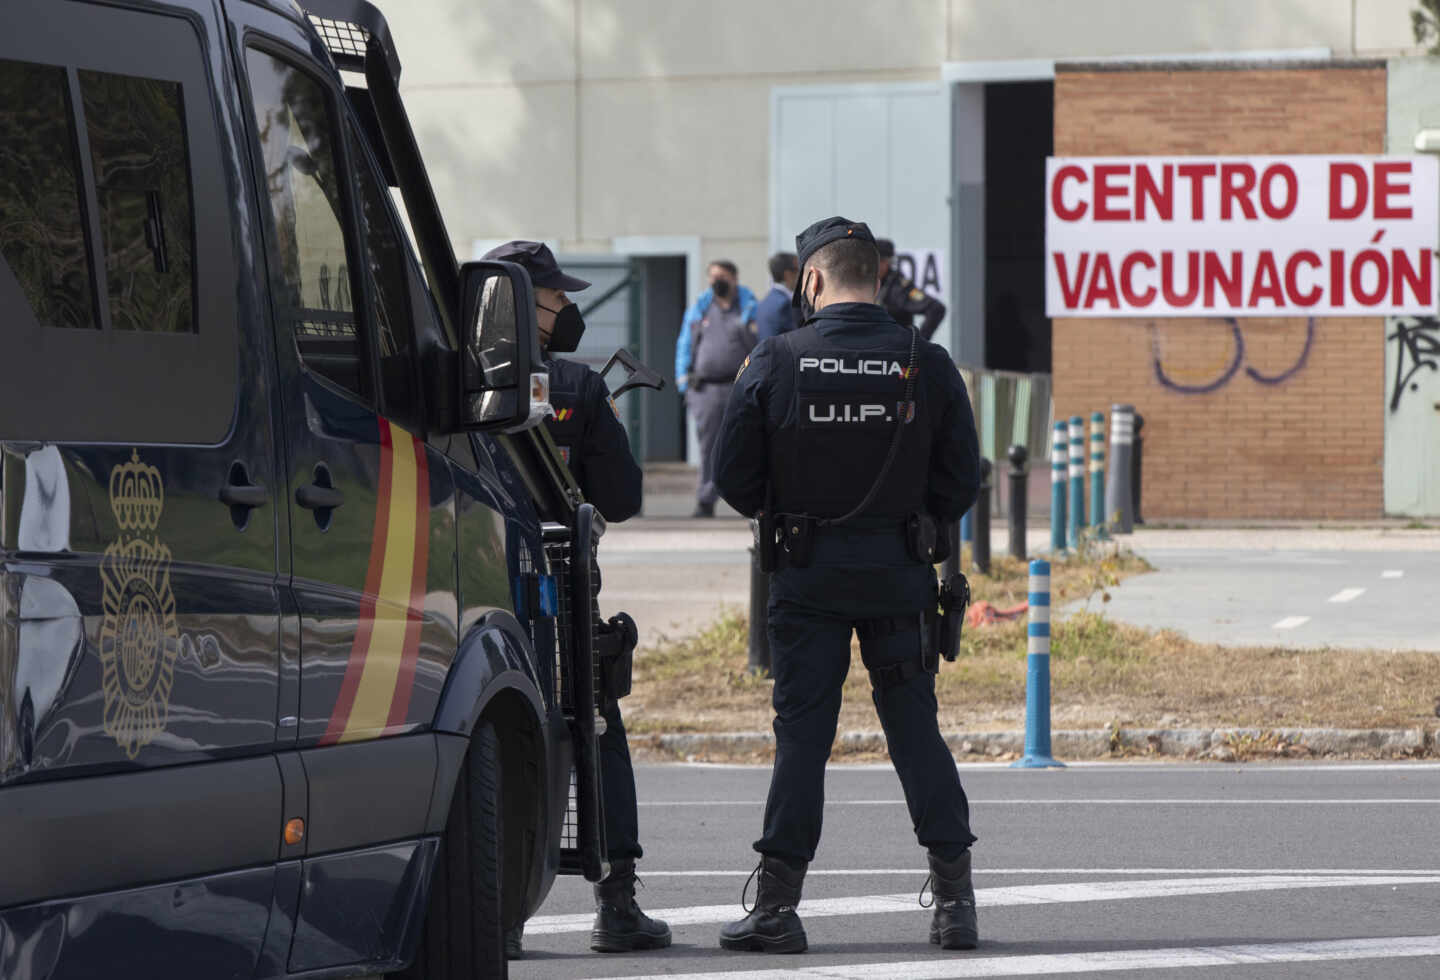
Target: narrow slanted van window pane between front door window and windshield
385,266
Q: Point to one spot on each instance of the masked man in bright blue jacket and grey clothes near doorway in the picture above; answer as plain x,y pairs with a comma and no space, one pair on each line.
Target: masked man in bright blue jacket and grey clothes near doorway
715,337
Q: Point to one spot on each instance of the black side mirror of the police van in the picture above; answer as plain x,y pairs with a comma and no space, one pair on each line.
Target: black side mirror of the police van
503,382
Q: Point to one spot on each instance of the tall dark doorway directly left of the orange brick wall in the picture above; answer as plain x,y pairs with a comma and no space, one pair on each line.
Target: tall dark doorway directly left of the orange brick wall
1019,137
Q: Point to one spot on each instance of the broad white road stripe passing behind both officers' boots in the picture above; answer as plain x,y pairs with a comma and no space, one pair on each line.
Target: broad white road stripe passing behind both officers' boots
1049,894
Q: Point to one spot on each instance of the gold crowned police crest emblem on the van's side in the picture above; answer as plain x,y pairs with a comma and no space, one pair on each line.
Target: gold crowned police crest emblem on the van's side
139,640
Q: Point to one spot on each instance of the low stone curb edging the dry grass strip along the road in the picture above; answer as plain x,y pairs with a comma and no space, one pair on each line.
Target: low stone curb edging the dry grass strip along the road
1200,745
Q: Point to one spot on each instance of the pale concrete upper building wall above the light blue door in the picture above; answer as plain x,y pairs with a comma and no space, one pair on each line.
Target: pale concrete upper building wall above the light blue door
578,122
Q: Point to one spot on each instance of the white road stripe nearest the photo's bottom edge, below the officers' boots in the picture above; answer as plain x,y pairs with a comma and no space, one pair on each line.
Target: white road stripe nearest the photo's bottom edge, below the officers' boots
1108,961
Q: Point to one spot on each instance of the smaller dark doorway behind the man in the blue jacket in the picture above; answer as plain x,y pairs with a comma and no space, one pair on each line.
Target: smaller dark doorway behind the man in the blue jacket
665,307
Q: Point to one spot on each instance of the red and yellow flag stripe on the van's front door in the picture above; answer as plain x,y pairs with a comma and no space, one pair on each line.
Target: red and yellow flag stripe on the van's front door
375,694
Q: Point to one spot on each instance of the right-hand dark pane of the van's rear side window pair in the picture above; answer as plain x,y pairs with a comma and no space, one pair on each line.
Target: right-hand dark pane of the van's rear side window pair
136,129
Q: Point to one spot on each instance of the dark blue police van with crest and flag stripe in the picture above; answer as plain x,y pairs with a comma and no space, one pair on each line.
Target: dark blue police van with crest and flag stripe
297,598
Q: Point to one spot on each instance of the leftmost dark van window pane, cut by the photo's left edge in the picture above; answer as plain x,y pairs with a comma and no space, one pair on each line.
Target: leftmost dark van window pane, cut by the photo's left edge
42,225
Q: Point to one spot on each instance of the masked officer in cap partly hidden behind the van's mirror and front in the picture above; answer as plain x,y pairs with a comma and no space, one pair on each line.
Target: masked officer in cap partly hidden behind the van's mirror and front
593,443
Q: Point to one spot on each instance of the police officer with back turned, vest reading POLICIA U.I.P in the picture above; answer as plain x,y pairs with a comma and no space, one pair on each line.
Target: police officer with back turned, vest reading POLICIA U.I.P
852,440
